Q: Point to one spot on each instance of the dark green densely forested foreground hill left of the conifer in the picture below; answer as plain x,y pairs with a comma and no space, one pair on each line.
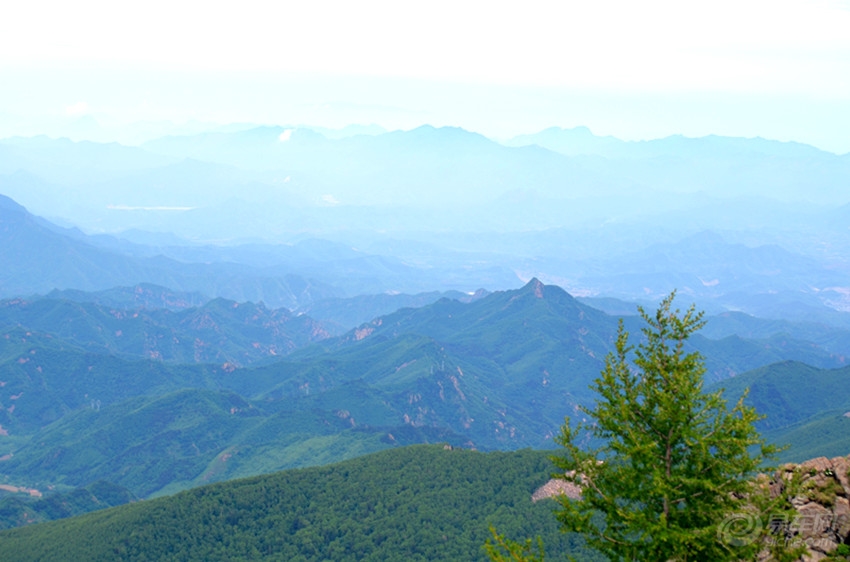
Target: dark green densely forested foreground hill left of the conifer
414,503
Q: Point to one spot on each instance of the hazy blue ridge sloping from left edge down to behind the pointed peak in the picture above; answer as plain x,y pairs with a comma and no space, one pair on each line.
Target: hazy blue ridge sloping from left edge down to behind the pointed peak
39,257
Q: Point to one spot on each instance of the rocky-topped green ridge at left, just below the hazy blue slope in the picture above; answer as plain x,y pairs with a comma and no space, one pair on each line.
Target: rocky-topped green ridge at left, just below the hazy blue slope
219,331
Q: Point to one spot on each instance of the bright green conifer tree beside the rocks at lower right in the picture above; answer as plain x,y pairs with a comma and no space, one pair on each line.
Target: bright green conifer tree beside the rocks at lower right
668,463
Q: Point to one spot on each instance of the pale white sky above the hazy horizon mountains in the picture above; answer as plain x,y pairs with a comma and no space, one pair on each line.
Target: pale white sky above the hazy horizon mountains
778,69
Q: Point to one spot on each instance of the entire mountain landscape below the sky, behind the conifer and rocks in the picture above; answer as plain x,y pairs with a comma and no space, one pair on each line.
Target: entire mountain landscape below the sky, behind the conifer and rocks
232,304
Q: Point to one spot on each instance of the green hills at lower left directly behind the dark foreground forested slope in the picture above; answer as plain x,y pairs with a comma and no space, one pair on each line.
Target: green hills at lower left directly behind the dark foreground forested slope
162,444
